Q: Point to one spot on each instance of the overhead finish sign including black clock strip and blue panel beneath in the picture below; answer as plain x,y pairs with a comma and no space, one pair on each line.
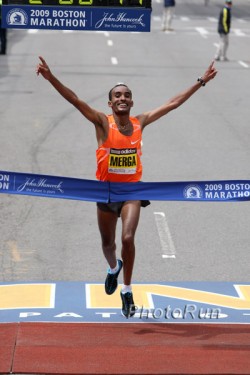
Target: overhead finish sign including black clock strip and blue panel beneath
77,15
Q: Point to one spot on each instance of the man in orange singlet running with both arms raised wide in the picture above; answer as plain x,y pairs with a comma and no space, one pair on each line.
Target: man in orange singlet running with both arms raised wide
118,160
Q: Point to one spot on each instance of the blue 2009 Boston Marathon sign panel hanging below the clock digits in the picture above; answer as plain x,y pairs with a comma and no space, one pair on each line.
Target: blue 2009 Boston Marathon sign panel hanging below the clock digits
75,18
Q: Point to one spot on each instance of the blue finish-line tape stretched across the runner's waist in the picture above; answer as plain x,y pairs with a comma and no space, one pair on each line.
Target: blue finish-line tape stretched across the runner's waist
98,191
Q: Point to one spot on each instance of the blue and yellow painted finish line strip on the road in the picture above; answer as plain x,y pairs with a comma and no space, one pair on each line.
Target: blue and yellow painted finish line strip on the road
179,302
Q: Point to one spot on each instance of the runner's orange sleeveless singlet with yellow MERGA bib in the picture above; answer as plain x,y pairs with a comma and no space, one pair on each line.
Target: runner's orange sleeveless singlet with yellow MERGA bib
119,157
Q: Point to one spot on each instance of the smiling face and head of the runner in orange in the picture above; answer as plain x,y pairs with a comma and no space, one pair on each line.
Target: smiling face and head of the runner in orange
121,101
